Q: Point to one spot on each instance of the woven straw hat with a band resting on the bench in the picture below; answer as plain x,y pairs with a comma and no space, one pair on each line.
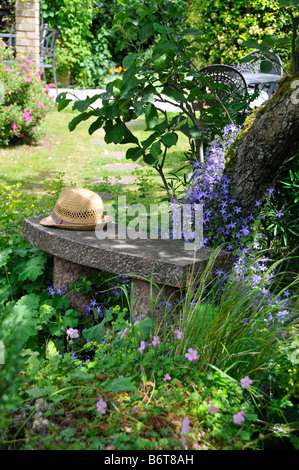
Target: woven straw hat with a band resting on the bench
78,209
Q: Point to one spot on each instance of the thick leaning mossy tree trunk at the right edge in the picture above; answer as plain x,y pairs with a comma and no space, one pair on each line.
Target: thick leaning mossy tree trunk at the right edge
262,150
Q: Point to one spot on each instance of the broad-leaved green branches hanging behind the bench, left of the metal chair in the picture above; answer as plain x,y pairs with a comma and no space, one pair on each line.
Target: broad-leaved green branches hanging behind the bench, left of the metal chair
160,70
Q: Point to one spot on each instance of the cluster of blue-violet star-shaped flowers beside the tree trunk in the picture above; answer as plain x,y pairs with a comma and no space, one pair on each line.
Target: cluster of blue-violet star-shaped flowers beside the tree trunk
223,222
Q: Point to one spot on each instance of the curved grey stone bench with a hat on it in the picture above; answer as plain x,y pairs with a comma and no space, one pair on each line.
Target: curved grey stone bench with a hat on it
78,253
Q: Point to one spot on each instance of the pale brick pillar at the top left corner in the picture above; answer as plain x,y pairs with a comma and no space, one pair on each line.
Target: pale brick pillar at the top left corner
27,31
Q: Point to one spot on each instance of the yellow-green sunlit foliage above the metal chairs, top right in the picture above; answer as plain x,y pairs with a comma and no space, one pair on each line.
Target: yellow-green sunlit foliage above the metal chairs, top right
225,26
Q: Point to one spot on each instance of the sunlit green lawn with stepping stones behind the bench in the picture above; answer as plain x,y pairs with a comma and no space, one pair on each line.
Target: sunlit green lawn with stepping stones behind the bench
82,158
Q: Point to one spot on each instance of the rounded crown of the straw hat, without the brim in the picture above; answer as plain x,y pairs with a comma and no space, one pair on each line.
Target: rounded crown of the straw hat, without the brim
79,205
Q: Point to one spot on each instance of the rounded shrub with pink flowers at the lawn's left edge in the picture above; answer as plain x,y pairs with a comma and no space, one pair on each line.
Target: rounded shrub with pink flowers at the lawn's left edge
24,101
